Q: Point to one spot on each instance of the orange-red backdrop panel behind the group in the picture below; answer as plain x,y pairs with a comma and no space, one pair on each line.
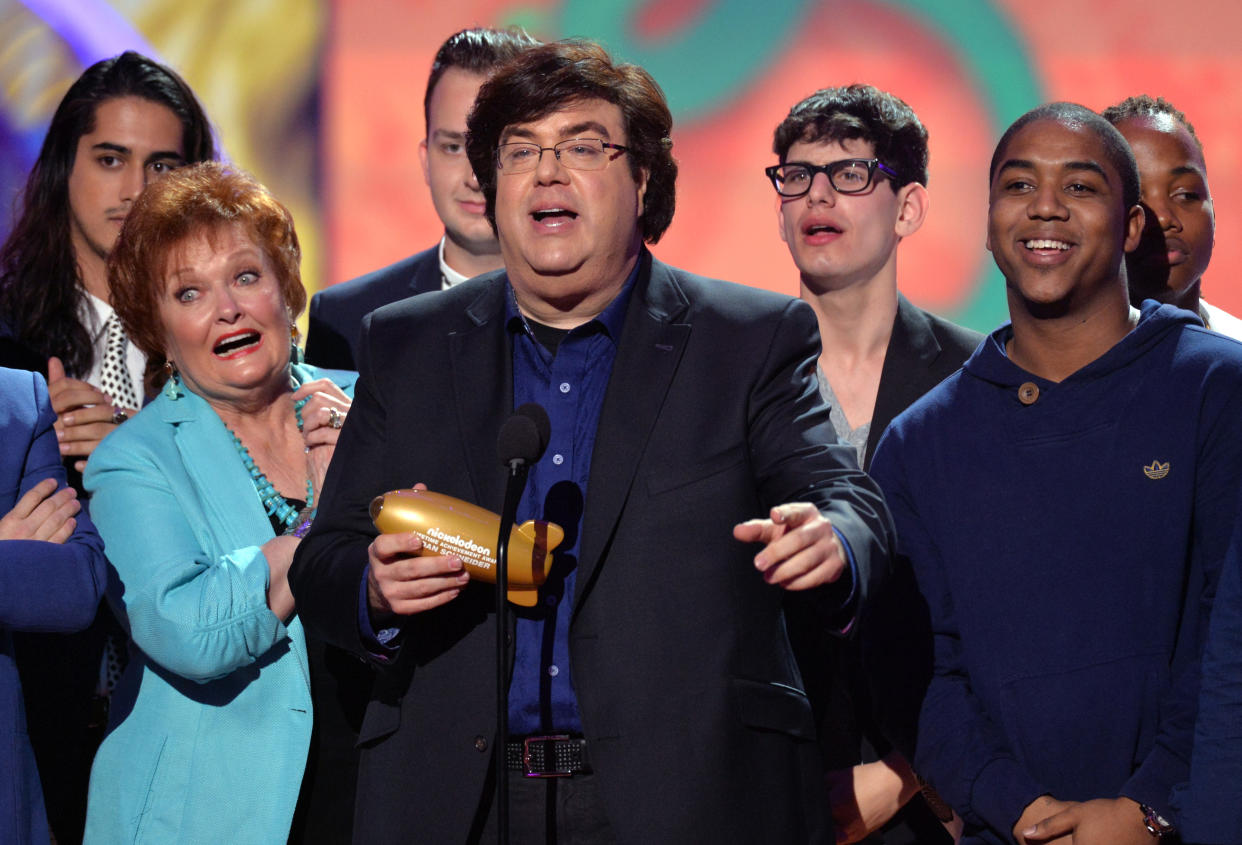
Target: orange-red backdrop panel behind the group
378,57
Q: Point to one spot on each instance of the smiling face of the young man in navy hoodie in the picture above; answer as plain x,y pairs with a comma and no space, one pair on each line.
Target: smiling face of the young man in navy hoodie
1058,224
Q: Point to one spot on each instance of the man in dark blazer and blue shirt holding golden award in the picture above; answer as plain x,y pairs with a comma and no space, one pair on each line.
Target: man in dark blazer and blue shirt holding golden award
691,464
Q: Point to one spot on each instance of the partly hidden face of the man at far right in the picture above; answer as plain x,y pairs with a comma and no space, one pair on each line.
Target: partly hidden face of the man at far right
1181,228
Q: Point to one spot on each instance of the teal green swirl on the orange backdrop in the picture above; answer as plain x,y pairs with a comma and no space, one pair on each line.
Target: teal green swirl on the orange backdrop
705,66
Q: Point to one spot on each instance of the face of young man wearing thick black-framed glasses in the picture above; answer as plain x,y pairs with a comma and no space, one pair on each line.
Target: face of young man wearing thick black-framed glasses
838,240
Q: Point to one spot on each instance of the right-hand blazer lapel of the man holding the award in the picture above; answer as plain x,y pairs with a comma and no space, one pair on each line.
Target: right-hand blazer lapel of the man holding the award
650,351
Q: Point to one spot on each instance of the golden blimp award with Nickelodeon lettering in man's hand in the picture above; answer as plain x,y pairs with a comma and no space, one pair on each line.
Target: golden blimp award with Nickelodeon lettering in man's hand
450,526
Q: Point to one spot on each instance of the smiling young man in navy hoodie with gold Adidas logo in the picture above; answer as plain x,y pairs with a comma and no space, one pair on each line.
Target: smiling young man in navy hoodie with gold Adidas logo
1063,505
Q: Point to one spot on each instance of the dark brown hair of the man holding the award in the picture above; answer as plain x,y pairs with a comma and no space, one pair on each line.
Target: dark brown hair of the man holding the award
555,76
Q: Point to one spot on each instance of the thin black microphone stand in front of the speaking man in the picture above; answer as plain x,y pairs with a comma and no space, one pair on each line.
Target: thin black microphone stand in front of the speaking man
519,469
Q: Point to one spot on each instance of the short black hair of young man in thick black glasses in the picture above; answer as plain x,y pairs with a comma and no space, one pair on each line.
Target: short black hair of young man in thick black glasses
860,112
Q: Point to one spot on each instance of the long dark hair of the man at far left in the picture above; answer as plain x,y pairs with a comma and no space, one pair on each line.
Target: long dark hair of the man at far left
40,295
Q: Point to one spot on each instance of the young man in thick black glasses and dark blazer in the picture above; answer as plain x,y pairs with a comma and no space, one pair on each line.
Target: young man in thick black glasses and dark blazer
851,187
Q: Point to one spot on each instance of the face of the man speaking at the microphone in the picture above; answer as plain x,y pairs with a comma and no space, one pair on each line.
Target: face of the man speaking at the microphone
569,238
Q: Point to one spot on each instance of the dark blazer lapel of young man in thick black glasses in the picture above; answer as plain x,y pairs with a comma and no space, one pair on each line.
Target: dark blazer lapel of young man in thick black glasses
912,351
